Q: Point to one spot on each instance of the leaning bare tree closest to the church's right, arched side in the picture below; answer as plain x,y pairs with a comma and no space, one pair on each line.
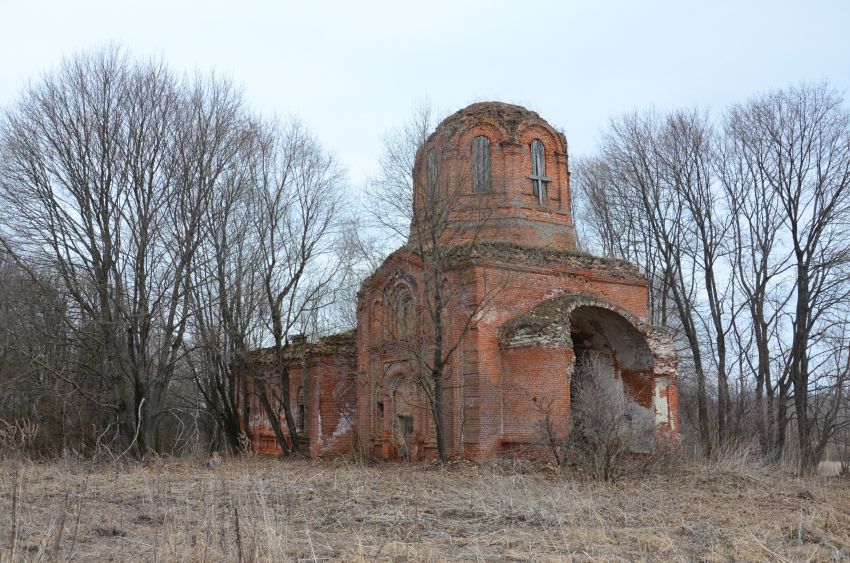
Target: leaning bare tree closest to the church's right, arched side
649,161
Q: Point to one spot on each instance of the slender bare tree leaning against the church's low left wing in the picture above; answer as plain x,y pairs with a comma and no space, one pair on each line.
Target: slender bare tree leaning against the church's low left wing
297,215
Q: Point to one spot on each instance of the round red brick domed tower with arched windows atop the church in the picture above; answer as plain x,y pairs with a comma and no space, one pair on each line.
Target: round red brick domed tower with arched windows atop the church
499,173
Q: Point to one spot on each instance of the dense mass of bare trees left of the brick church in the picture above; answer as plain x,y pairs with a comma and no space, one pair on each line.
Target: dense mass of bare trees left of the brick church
154,232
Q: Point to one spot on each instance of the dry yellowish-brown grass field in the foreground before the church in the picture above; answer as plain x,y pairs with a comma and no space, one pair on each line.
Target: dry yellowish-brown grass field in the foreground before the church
264,509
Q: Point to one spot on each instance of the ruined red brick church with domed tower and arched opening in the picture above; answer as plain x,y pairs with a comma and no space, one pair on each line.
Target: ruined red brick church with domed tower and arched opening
553,306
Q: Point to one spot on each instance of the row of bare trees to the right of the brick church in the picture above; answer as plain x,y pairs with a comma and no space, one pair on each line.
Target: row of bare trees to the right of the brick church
740,222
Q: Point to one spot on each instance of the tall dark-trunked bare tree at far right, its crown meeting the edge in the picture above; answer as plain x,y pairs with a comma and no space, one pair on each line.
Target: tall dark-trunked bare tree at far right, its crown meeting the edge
807,136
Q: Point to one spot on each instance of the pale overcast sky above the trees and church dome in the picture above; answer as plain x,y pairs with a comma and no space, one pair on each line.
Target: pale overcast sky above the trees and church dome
353,69
